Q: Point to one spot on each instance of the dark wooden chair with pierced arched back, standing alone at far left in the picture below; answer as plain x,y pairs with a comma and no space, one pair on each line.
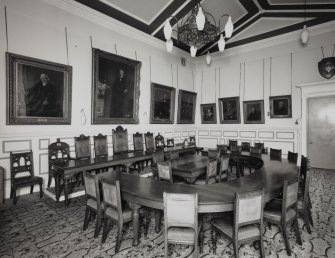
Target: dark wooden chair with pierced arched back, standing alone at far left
22,173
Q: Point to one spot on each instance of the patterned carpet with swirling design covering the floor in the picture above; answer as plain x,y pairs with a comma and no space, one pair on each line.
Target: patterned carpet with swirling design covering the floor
42,228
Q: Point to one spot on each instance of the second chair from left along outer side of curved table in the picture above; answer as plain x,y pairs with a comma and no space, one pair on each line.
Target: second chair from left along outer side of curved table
115,212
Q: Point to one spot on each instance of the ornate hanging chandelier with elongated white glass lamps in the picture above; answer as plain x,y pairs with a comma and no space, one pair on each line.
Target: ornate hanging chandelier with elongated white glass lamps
197,29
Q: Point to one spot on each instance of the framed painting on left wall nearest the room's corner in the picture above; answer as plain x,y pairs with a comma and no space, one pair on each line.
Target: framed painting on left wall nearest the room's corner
186,107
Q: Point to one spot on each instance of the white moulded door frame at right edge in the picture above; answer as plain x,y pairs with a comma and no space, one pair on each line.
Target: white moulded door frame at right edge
311,90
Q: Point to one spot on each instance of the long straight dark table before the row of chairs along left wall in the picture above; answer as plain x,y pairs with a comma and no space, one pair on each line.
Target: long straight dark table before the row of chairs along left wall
65,171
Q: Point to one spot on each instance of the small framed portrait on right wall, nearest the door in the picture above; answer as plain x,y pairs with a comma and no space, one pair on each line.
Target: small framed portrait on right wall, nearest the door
281,107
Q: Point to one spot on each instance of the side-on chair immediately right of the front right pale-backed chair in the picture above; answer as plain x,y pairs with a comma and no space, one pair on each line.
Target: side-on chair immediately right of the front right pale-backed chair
286,213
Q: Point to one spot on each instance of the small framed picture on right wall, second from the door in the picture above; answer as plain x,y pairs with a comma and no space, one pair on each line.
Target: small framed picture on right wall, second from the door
253,112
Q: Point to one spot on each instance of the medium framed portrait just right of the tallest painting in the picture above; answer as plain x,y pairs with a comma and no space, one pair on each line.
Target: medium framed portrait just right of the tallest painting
162,104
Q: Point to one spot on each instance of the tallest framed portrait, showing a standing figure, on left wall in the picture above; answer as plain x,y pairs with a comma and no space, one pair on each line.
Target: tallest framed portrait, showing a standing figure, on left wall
115,89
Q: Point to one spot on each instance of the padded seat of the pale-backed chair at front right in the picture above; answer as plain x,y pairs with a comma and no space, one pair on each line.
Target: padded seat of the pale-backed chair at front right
225,225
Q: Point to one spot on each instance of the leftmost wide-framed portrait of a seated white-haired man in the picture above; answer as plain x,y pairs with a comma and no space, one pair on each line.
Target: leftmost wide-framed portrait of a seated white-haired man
38,91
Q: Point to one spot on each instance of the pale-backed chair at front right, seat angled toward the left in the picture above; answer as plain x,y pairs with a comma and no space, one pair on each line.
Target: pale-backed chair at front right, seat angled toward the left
245,224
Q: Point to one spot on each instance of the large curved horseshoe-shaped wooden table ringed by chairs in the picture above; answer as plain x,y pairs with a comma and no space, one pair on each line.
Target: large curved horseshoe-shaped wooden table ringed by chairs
140,191
